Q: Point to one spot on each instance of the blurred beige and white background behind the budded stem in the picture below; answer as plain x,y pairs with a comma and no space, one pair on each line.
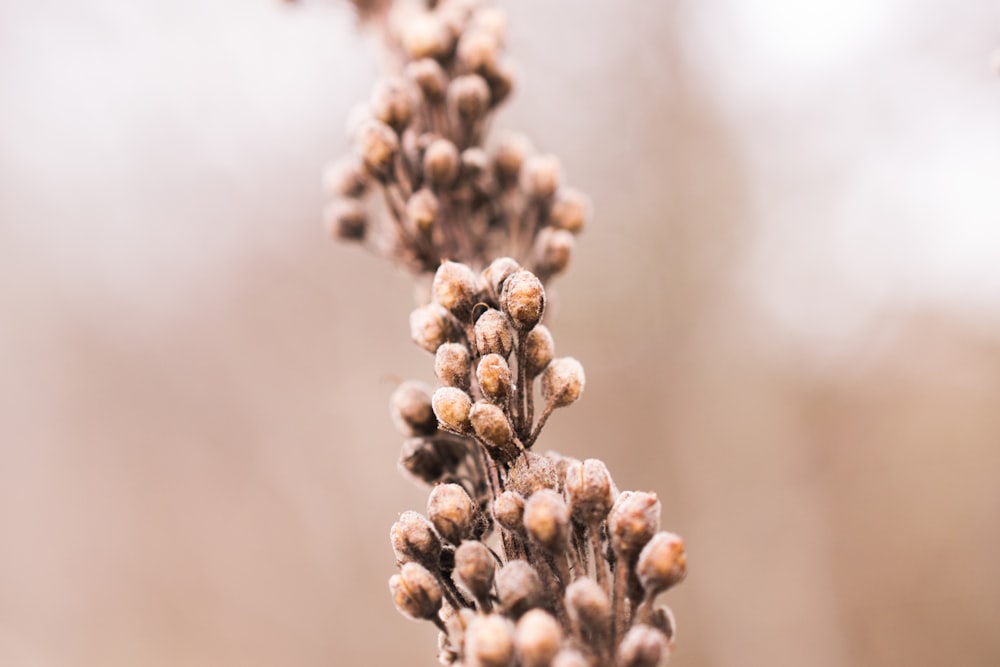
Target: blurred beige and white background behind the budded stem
788,306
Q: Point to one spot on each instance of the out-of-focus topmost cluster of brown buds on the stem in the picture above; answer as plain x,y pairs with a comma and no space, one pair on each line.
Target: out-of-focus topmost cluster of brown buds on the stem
421,185
